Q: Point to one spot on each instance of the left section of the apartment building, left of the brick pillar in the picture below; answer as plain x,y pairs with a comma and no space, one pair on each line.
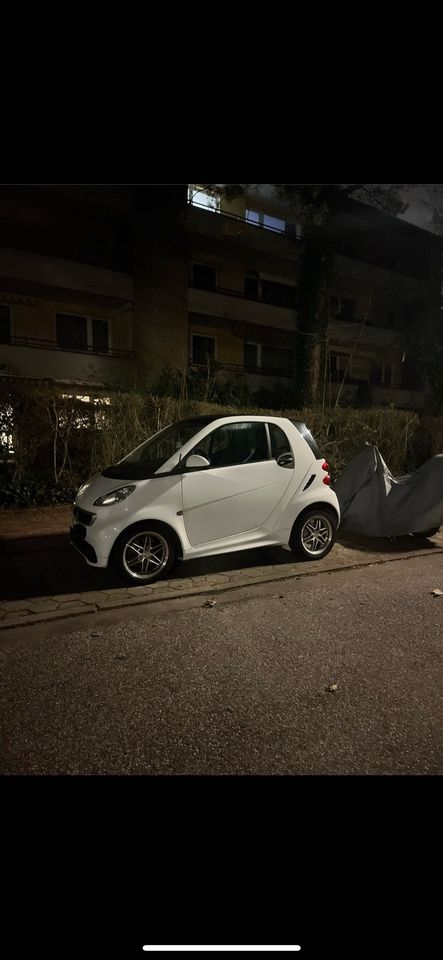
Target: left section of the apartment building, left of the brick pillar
66,285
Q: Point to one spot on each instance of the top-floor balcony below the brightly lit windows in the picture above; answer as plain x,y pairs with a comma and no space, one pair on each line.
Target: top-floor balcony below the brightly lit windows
239,231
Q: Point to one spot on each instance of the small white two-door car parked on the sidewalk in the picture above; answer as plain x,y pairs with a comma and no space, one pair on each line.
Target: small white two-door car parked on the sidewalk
205,486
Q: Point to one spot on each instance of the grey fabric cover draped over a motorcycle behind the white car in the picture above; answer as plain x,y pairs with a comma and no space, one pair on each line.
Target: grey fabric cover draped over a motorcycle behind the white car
376,504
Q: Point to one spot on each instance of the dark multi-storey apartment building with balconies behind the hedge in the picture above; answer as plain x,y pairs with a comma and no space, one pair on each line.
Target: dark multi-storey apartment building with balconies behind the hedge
108,285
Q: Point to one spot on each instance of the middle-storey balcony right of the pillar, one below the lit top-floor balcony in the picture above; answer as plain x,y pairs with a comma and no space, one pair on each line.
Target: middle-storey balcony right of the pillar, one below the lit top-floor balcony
234,305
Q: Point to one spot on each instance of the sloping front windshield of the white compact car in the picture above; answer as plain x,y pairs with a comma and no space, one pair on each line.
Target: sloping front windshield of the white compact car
143,462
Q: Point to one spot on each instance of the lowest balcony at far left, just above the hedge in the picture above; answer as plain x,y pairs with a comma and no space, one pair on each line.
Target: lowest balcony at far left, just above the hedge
43,359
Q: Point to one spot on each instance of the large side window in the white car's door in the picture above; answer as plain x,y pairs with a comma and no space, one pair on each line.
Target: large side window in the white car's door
235,443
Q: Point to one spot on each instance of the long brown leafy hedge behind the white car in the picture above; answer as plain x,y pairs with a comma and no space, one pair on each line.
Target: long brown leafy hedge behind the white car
59,442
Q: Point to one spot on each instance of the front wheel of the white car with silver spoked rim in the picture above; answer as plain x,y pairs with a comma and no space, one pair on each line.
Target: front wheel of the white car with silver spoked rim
145,553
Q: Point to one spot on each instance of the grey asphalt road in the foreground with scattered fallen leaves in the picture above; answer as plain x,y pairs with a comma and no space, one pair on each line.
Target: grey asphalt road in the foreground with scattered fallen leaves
240,687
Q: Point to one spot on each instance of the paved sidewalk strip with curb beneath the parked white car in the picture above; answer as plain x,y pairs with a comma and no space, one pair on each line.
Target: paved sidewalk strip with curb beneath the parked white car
50,522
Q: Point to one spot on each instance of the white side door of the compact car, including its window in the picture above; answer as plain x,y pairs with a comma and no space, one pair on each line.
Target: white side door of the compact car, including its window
241,487
